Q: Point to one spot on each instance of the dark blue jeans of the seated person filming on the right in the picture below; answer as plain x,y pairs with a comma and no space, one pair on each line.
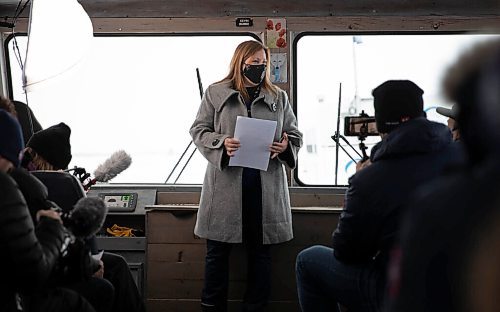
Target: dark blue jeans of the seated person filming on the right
323,282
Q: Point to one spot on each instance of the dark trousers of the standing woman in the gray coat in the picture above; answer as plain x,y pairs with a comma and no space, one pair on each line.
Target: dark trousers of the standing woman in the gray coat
258,256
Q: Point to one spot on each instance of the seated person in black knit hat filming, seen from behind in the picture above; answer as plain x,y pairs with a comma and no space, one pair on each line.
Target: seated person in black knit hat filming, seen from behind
413,151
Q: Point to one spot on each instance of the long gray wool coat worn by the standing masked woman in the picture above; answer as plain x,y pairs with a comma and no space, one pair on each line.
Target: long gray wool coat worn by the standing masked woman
220,213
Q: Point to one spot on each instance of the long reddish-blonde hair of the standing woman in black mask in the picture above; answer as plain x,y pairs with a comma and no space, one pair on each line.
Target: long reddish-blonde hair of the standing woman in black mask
235,76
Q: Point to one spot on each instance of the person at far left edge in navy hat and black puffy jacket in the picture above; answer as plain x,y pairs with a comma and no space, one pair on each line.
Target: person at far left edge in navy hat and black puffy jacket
29,254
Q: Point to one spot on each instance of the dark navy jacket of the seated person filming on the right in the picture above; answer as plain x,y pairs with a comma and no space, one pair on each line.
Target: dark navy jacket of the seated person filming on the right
409,156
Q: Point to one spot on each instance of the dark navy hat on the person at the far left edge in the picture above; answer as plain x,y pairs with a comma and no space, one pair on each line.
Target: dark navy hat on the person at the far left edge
11,138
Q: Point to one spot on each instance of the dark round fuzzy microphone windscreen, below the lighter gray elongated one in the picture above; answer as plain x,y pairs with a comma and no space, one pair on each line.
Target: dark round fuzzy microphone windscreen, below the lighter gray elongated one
87,217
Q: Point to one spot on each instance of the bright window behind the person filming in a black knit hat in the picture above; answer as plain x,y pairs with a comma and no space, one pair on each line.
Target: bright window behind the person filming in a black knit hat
333,70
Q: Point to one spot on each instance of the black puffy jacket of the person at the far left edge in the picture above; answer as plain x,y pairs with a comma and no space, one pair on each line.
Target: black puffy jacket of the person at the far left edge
28,254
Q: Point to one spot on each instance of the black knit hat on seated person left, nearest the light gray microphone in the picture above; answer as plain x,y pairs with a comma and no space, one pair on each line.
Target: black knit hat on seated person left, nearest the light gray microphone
53,145
